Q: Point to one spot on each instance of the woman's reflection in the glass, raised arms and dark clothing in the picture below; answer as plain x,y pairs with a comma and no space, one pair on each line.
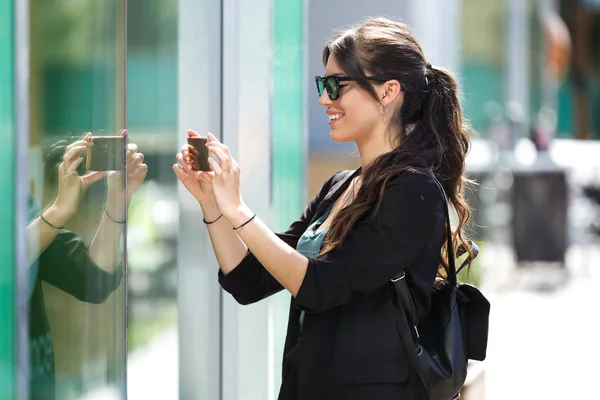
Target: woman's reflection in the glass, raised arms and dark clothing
62,259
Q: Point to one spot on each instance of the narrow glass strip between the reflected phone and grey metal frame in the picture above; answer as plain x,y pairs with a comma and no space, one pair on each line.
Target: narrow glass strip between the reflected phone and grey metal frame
154,212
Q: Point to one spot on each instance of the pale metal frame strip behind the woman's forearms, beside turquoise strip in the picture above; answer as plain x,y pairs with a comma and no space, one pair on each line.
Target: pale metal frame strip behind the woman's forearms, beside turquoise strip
246,128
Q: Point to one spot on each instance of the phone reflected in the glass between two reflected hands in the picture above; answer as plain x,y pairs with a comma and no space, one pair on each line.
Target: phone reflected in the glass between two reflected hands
107,153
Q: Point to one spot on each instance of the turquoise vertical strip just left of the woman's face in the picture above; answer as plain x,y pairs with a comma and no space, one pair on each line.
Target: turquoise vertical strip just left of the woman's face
288,151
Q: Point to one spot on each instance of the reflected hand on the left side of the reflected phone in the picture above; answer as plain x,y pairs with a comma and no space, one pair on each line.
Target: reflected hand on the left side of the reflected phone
72,186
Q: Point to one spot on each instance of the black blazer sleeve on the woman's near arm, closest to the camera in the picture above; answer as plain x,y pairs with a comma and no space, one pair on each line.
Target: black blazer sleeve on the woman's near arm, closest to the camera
378,248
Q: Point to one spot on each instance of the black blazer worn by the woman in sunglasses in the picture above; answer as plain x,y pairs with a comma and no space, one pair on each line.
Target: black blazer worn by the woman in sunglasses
349,347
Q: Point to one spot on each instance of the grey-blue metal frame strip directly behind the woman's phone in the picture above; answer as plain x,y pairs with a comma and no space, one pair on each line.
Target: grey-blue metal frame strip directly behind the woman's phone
199,294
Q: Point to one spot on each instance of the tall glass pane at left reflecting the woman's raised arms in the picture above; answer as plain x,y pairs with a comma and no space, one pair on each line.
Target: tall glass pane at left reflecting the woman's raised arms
78,199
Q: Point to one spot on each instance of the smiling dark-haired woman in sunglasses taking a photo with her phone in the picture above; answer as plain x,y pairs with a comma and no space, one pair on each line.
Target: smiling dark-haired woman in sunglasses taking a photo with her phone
362,229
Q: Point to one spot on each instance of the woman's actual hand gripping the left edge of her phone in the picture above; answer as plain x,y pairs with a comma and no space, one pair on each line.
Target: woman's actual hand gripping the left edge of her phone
198,183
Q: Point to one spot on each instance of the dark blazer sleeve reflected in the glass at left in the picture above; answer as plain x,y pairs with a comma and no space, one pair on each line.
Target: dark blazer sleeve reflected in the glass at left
67,264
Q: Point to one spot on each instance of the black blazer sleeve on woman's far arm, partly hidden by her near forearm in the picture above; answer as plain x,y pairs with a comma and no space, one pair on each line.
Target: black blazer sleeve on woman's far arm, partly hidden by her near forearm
249,281
